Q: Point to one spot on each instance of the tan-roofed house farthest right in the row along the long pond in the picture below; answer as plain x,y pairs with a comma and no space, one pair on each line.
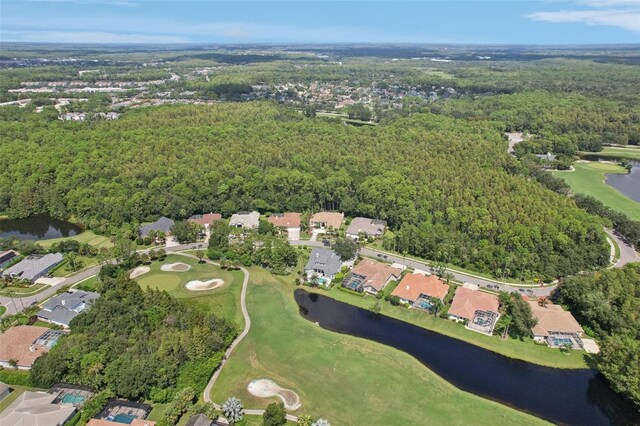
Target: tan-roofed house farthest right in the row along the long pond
555,326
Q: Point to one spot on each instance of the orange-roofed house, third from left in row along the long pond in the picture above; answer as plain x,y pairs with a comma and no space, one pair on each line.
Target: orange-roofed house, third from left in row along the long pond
419,290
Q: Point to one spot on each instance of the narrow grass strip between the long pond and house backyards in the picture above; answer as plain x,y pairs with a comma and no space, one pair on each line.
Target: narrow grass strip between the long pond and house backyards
524,349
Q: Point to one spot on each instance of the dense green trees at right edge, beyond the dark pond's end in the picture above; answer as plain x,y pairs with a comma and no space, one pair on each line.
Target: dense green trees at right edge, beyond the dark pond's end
607,304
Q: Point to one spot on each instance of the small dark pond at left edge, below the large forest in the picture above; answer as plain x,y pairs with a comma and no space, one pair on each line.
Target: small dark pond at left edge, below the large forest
41,227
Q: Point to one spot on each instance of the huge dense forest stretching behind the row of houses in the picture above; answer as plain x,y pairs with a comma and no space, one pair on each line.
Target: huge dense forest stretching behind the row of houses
446,186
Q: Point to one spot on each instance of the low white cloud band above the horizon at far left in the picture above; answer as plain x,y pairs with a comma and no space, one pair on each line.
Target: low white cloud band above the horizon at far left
89,37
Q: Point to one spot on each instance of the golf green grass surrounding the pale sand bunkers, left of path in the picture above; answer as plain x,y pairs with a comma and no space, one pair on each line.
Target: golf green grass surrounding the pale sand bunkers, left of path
224,301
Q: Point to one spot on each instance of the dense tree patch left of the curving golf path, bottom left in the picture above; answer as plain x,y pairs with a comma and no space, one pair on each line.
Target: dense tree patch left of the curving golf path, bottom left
138,344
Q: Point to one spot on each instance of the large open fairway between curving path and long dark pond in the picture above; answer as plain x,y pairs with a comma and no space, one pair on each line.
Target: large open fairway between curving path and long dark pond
345,379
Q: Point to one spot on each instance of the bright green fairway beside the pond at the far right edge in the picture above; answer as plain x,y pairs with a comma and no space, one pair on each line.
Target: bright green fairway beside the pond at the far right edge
588,178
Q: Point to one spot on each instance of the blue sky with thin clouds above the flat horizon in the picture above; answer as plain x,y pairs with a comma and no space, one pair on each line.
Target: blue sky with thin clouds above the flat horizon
452,21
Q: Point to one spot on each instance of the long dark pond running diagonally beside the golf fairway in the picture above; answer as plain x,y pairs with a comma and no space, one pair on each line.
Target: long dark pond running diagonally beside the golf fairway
577,397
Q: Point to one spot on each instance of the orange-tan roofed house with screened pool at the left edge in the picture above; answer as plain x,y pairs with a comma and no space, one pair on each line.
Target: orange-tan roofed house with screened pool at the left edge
24,344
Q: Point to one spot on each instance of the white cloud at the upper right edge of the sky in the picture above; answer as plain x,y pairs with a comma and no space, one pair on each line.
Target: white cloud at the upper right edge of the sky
625,19
